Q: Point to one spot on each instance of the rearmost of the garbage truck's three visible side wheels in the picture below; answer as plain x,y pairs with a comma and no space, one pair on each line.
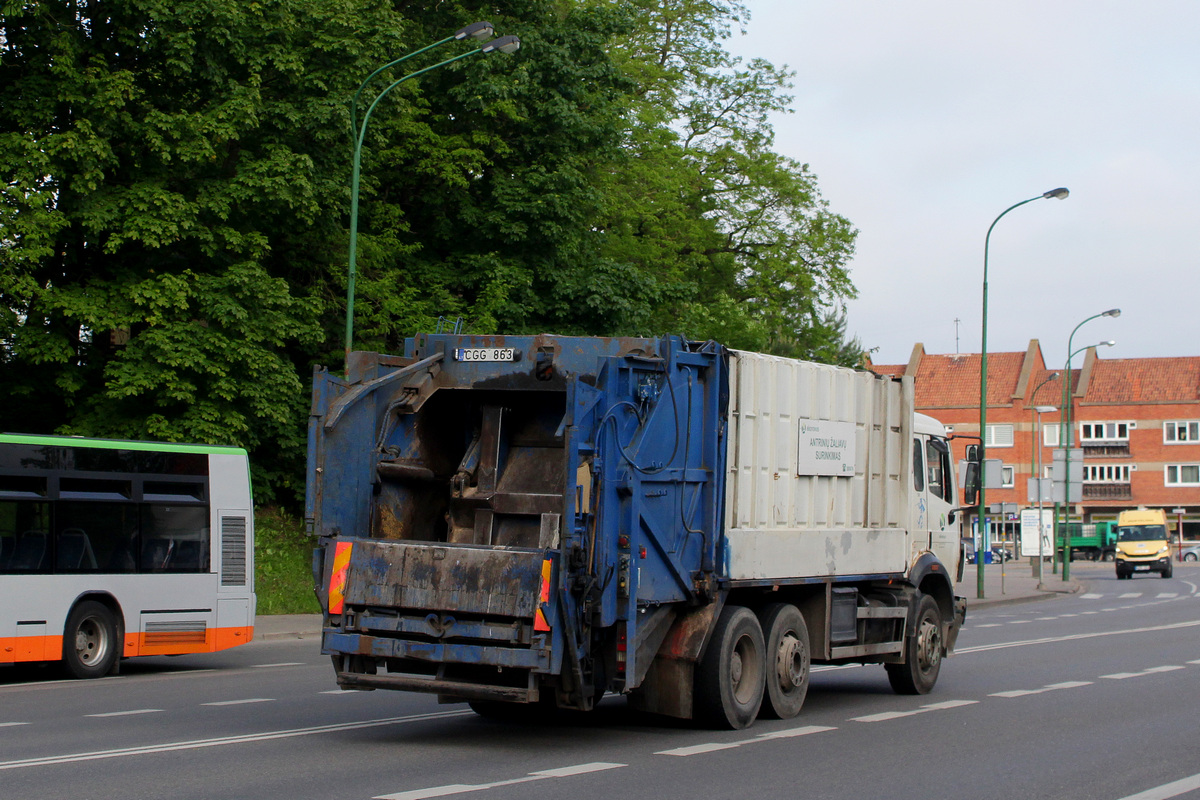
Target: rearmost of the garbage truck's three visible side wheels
731,676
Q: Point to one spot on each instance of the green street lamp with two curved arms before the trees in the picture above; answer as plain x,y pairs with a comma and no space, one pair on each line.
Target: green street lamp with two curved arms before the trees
477,31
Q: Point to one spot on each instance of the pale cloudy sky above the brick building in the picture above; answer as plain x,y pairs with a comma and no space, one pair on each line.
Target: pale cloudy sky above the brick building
926,119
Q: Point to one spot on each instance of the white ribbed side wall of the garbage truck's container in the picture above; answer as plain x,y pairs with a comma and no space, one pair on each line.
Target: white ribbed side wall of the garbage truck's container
782,524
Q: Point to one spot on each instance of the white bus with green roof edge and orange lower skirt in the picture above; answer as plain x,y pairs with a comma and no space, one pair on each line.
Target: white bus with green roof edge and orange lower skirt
113,550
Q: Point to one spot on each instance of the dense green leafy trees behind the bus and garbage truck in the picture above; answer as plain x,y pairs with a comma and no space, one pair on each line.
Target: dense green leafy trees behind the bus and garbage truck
175,203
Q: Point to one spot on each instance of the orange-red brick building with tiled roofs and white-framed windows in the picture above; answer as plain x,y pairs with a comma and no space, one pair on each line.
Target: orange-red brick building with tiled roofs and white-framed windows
1138,422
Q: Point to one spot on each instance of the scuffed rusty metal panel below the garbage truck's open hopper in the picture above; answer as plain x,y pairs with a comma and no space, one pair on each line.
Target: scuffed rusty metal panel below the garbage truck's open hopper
439,578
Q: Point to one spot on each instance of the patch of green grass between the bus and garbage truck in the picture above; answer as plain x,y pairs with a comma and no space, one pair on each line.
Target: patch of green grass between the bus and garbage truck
283,564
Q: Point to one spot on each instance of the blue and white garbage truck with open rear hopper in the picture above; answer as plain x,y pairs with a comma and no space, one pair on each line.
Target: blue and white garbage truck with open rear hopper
531,522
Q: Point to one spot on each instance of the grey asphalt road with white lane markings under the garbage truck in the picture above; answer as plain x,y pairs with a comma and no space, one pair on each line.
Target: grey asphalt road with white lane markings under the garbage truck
1093,696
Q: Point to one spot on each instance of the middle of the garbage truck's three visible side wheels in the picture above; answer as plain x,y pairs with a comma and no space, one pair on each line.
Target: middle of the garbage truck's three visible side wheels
789,660
